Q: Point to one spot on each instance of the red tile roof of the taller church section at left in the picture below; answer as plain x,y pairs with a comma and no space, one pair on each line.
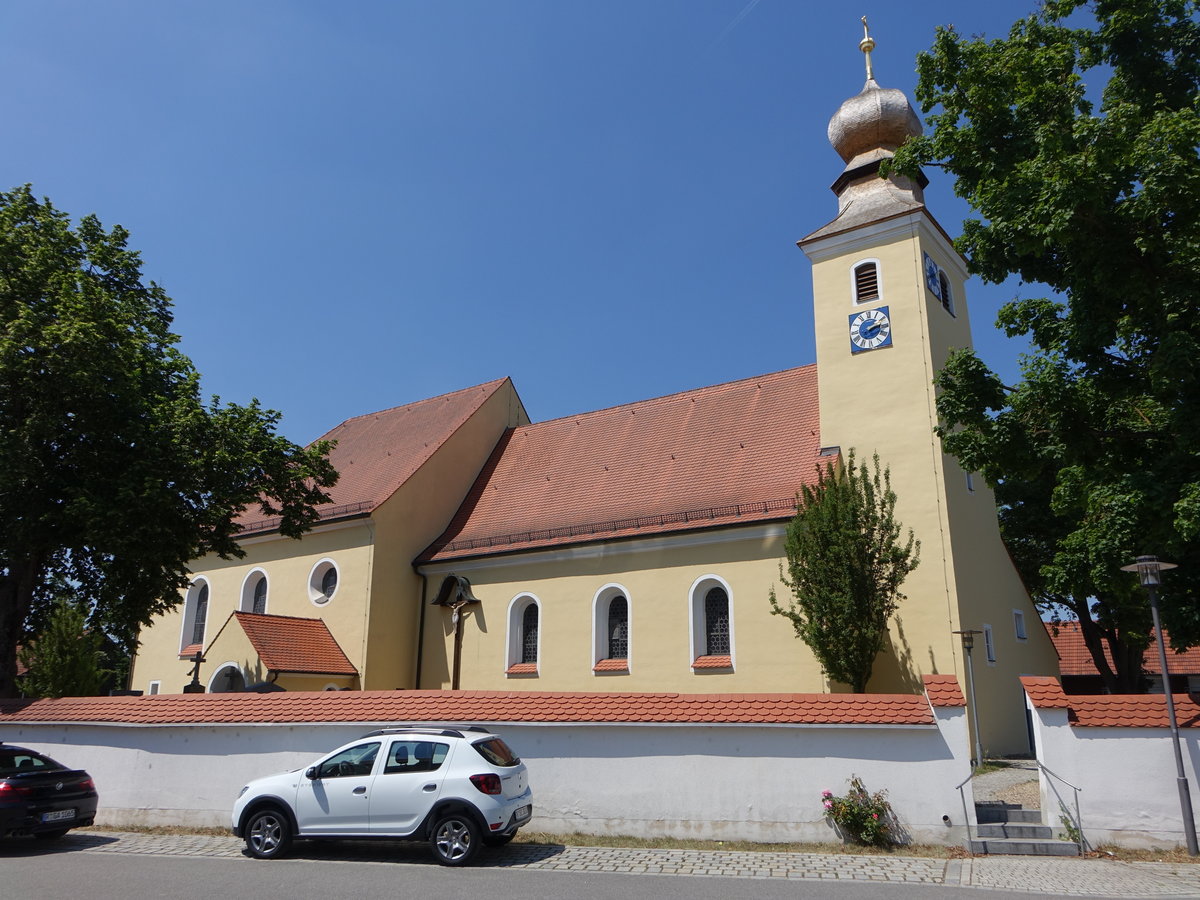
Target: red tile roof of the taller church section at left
377,453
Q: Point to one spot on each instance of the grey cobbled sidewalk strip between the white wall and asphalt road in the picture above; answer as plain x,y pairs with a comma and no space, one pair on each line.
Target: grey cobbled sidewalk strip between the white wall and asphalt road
1070,878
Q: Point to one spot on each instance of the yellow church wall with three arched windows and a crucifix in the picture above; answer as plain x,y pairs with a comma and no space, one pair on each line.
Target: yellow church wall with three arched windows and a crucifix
657,584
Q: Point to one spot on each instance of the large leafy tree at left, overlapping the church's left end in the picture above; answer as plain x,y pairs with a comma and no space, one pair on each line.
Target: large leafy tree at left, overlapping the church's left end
113,472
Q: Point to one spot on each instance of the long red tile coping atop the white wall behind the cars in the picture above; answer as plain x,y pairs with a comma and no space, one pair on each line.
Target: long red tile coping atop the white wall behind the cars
370,707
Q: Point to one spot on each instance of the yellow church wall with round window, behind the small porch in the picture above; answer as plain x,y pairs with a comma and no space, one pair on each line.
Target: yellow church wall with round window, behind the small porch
289,566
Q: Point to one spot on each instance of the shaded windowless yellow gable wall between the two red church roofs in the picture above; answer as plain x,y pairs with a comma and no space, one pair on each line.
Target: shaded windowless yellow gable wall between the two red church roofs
410,521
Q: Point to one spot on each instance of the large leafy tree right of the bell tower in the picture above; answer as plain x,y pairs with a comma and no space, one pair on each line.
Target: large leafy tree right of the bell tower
1076,139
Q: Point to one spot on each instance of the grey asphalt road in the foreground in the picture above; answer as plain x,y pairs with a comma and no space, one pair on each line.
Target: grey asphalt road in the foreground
99,877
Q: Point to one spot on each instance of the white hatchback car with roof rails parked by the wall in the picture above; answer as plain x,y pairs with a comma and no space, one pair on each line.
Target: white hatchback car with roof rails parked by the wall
458,788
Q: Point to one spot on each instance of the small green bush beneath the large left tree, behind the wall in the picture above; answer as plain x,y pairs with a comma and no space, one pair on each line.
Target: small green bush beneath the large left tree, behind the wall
67,659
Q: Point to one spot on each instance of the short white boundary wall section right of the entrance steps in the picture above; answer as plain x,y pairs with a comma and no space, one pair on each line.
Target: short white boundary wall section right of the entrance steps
1129,783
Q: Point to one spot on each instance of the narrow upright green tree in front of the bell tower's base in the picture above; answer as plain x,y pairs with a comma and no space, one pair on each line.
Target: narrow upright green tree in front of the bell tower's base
845,566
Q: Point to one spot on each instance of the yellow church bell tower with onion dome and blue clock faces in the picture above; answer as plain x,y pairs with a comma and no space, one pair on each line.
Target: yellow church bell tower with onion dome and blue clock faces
890,307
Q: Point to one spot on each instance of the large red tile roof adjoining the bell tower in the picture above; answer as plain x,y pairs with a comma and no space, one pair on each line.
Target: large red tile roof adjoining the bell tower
729,454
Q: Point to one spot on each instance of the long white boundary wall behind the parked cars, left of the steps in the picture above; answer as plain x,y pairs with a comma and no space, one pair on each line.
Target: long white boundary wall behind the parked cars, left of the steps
715,782
